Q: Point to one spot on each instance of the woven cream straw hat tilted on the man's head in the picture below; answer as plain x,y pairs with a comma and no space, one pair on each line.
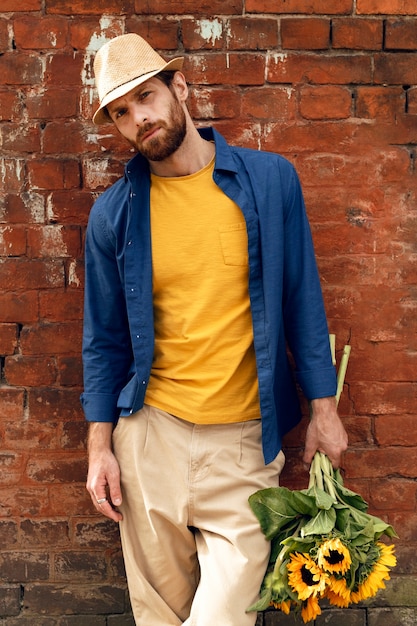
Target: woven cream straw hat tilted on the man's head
122,64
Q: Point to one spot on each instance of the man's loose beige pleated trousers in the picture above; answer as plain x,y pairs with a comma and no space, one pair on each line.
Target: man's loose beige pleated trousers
193,549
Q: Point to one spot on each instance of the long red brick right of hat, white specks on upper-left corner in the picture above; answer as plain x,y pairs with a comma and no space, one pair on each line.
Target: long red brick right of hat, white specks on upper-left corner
339,70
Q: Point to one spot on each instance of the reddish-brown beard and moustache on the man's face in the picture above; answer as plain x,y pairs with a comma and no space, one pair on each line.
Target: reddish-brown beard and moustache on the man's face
167,142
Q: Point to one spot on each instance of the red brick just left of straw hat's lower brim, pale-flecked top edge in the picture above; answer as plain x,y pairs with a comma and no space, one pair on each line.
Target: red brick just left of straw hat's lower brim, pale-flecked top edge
52,103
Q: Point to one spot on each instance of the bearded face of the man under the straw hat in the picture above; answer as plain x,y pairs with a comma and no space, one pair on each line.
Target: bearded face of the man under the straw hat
151,118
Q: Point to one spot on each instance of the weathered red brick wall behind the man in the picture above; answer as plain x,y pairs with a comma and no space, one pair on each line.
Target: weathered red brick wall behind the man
332,85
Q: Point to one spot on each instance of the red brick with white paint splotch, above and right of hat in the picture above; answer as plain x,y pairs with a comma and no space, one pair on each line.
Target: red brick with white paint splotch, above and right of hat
205,34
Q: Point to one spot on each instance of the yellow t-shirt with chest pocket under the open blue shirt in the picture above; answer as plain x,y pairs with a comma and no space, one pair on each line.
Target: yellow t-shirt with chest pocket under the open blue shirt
204,367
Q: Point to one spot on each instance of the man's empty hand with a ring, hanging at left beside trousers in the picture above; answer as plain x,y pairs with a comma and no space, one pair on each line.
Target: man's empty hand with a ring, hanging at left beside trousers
103,480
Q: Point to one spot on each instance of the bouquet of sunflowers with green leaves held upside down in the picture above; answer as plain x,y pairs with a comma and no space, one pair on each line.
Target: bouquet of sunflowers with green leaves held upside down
324,543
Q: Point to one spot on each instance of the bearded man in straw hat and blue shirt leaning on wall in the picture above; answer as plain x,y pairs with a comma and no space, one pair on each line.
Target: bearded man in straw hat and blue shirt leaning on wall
199,272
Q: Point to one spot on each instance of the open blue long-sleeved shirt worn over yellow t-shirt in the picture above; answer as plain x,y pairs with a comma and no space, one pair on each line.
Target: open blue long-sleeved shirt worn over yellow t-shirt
284,289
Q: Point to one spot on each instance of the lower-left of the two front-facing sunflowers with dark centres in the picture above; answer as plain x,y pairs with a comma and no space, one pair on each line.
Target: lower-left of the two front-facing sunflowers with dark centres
305,577
